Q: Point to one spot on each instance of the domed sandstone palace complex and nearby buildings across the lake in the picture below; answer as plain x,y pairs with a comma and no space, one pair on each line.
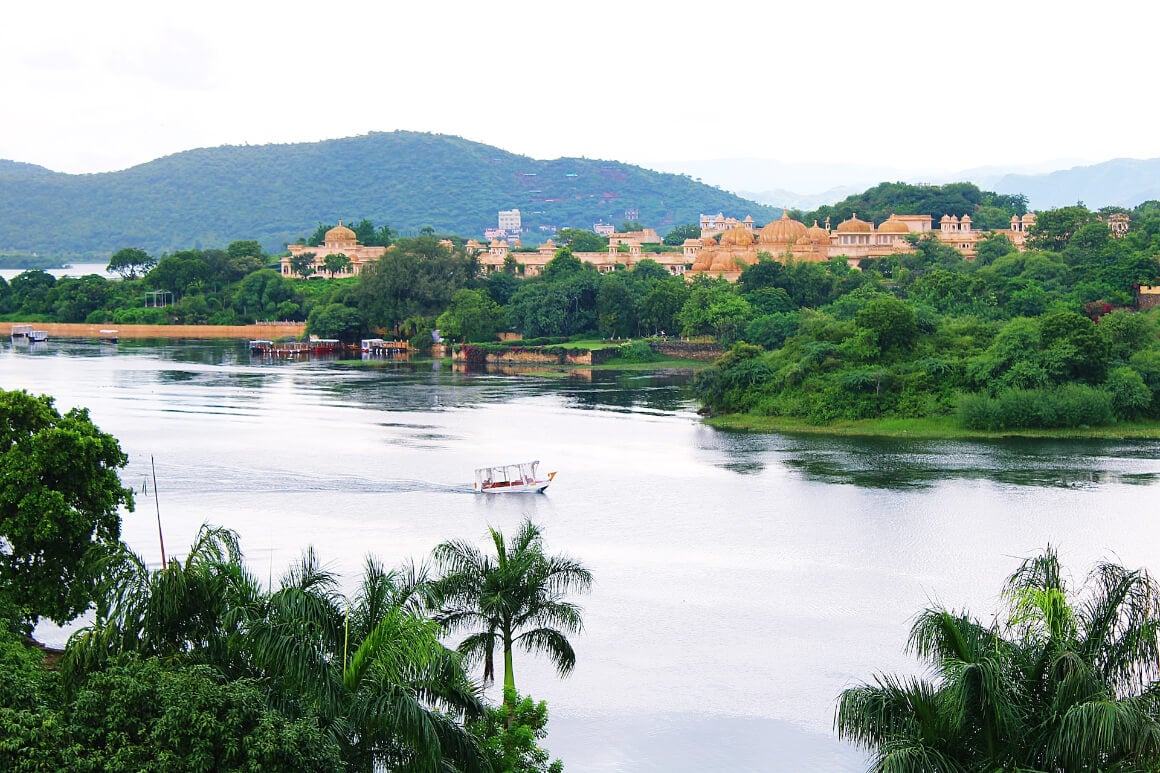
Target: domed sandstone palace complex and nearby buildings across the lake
726,248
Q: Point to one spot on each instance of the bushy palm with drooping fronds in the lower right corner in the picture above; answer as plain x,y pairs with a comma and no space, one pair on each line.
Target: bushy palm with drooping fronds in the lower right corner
1062,683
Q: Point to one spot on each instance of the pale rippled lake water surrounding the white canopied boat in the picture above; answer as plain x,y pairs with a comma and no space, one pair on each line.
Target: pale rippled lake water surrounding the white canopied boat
743,581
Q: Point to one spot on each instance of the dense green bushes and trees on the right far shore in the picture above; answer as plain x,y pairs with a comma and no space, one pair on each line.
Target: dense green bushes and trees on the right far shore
1049,339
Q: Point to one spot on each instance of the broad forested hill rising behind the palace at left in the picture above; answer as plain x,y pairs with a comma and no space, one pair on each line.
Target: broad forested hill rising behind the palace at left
278,193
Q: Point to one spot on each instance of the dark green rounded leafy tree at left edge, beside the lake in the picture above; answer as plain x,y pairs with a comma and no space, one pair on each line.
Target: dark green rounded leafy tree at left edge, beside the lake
60,505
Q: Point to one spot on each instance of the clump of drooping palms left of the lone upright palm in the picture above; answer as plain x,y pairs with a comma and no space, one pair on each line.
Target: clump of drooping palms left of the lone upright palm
372,670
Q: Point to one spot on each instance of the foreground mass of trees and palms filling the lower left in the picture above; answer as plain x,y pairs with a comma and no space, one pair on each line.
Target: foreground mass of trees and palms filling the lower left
194,664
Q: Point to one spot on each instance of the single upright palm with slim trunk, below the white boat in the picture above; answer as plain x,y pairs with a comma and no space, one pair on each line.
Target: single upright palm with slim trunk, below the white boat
516,598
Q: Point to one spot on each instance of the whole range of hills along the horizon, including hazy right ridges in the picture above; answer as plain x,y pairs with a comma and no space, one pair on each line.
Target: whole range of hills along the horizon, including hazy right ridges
410,180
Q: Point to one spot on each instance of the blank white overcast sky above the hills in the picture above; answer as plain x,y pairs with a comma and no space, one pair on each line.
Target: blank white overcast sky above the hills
100,86
